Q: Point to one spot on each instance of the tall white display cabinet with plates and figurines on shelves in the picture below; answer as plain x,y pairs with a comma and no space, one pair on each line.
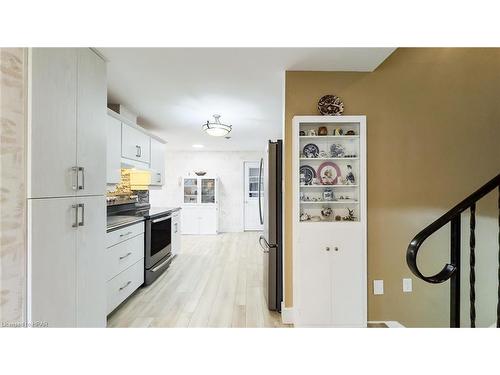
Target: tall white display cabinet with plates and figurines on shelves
329,221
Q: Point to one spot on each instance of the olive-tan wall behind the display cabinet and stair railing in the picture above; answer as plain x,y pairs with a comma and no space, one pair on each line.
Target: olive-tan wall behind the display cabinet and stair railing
433,137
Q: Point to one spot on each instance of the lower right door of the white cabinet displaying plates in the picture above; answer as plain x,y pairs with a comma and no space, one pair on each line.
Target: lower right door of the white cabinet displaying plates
348,278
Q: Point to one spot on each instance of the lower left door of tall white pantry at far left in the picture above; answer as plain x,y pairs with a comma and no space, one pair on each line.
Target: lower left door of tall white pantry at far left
53,261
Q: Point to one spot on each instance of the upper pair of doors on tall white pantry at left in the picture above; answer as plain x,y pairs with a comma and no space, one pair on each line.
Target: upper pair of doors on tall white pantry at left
67,118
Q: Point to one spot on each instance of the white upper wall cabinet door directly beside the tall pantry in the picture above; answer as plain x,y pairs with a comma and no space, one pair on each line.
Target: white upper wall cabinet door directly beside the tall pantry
113,150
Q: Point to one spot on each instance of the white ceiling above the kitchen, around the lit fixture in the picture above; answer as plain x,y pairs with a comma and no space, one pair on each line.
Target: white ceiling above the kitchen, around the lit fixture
175,90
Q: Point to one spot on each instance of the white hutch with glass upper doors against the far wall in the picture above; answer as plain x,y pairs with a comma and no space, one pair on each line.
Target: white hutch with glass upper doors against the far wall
200,211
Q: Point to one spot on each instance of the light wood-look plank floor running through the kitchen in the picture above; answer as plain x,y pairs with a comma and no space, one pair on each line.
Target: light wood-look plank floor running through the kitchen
215,281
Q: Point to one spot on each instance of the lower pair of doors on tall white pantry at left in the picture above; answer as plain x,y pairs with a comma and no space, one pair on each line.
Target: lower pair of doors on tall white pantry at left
66,258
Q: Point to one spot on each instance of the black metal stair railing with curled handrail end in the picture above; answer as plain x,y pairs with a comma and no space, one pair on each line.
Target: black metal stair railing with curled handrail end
451,271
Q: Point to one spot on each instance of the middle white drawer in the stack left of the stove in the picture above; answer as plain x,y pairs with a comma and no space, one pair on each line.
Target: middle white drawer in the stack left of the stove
121,256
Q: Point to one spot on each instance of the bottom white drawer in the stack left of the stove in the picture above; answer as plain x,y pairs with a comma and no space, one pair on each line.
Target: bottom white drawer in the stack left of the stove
124,284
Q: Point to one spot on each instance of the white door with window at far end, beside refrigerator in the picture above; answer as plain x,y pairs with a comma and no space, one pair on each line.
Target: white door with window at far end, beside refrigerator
251,198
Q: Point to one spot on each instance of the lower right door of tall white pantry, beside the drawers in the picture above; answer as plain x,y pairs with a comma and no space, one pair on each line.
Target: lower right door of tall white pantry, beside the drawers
90,261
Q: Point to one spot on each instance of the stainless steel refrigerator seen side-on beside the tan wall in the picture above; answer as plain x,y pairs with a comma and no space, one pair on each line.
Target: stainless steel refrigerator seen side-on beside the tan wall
271,216
